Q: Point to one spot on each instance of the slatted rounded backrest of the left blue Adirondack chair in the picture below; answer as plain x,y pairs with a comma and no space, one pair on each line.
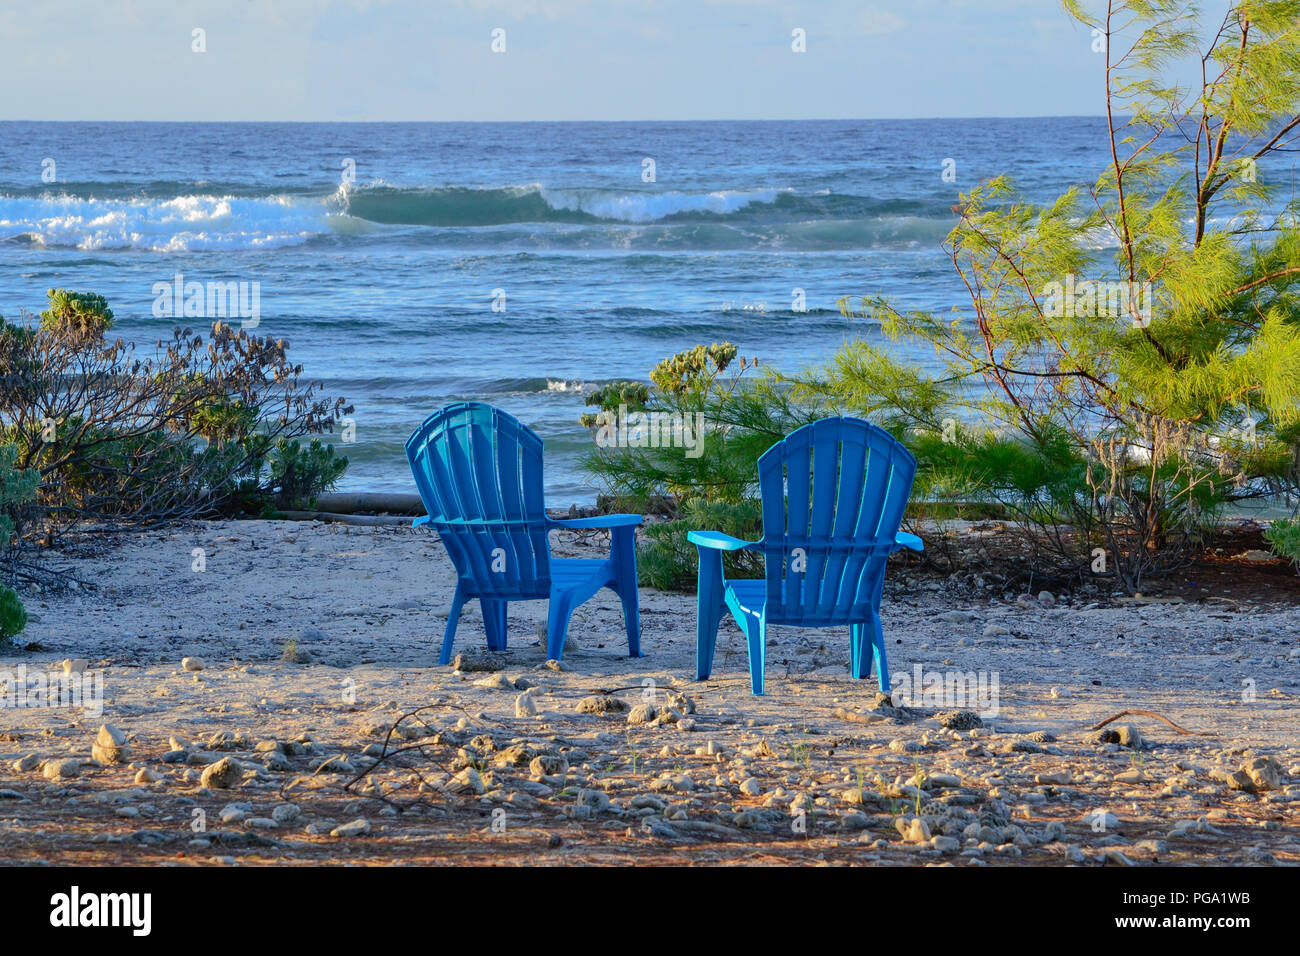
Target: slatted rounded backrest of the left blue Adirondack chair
479,473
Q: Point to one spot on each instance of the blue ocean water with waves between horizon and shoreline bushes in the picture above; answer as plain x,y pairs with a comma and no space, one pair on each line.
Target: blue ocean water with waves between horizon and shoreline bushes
522,265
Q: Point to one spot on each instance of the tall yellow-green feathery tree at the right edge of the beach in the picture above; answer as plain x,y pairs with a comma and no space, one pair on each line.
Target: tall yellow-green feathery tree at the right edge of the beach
1115,395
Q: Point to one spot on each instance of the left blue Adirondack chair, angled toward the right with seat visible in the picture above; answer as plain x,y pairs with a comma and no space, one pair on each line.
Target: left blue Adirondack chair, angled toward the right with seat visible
480,477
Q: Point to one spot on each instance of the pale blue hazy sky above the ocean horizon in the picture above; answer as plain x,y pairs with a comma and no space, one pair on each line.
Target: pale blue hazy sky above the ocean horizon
434,60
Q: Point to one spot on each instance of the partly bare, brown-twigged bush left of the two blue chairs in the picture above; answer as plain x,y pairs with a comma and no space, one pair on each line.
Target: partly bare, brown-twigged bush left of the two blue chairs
207,425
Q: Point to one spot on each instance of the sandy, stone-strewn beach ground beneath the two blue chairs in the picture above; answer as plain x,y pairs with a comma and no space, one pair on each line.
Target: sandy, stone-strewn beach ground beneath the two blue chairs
309,642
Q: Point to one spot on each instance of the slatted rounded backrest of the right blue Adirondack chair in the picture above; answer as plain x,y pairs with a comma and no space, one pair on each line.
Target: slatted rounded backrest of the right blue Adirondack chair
833,498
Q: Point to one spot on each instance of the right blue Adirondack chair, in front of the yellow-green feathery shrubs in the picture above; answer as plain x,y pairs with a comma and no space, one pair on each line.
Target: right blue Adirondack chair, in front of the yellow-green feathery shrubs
833,498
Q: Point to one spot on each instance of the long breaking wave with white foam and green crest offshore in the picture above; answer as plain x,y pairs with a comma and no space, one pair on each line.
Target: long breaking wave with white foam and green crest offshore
154,218
